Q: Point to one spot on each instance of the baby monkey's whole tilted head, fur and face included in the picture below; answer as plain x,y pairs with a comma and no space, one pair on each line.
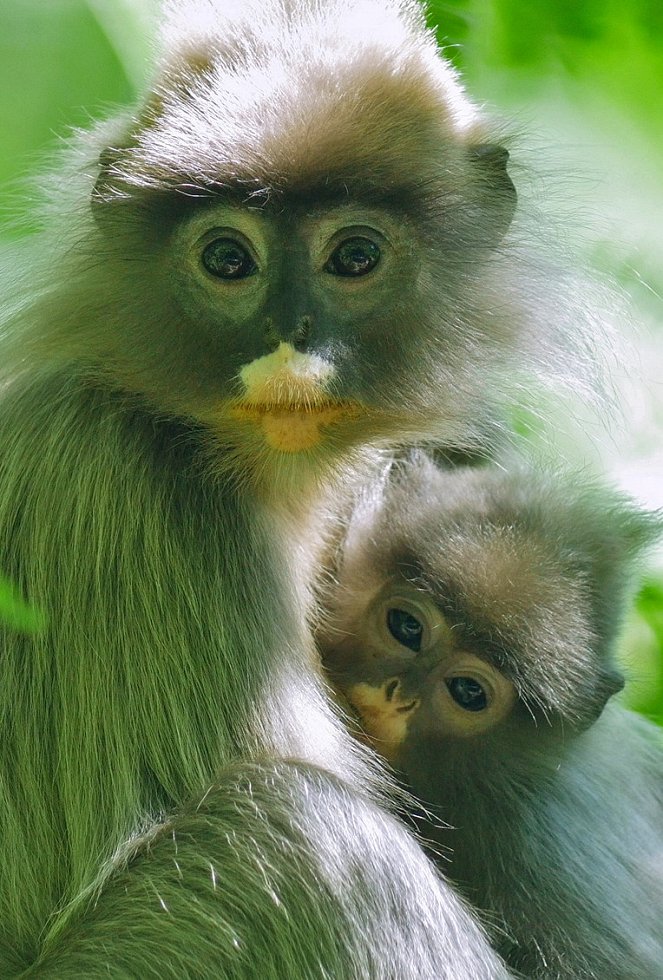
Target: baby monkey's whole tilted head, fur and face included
475,613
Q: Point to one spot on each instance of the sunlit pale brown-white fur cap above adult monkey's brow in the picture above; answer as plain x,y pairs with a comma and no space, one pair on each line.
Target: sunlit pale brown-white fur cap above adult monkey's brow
257,94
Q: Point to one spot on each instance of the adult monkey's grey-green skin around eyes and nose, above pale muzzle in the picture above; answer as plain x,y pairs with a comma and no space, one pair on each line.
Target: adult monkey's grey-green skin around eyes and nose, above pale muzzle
305,275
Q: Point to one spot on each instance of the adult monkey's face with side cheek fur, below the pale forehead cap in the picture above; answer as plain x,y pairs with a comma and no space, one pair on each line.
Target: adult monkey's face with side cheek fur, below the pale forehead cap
347,291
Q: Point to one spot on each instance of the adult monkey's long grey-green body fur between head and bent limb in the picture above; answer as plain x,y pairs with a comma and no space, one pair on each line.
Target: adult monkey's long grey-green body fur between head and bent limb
140,560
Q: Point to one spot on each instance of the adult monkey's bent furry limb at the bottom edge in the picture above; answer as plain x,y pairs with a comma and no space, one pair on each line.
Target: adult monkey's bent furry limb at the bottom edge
279,871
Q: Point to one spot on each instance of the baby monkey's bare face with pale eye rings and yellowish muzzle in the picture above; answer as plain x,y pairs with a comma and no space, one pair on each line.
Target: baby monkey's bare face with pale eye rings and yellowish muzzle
403,667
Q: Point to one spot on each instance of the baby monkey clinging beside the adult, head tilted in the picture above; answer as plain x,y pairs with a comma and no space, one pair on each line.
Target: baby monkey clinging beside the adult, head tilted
470,627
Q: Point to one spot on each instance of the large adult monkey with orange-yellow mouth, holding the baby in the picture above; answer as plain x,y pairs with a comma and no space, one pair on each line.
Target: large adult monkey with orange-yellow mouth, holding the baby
285,262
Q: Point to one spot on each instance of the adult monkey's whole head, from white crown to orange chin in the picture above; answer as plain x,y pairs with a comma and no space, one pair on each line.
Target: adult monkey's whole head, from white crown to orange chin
291,244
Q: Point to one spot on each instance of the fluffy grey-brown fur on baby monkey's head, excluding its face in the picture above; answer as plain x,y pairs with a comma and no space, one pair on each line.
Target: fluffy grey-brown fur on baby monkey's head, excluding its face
532,569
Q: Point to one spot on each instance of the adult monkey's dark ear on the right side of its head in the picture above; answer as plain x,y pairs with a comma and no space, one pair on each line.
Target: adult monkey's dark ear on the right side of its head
497,197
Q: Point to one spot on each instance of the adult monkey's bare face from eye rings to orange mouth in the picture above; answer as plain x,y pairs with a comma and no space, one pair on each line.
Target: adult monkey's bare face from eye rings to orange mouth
298,319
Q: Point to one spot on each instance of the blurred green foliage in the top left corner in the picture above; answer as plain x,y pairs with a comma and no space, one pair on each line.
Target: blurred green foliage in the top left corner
63,62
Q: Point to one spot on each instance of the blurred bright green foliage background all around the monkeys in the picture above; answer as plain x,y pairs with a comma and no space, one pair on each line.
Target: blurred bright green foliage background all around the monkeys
584,78
